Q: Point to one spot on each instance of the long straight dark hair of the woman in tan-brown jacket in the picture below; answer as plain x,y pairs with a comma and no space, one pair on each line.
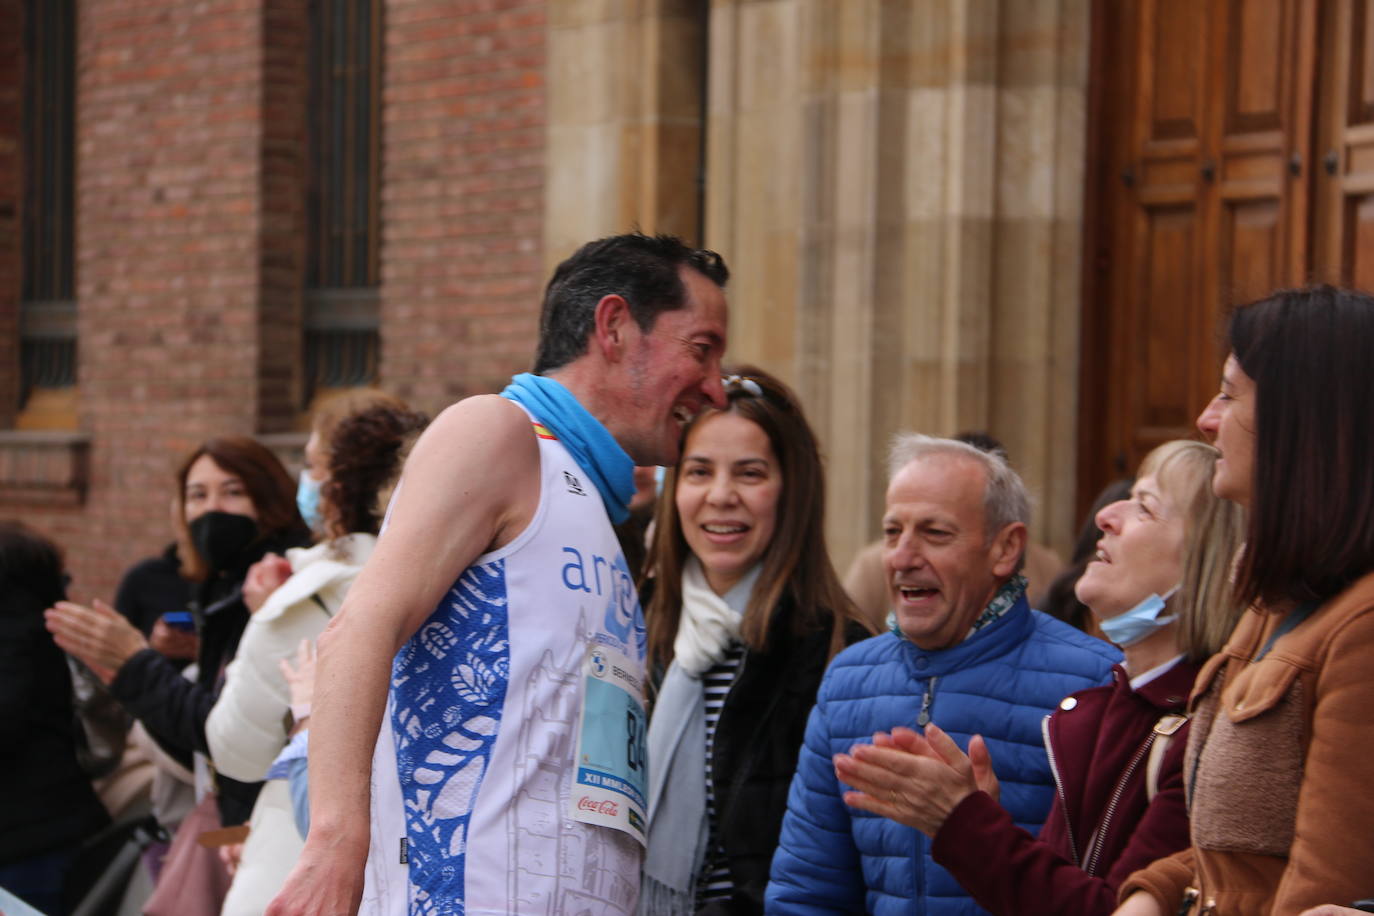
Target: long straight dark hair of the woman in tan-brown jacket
1311,521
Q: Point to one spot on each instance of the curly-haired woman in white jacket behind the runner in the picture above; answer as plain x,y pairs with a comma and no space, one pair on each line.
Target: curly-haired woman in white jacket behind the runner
248,727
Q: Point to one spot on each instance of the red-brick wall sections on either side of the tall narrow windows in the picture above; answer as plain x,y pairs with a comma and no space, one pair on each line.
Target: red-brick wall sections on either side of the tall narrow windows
190,154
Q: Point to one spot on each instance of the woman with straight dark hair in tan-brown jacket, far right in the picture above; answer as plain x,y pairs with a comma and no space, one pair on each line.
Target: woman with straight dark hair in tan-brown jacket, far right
1281,756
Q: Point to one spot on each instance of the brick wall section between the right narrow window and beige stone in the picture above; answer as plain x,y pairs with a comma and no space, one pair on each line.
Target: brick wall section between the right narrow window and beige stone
462,196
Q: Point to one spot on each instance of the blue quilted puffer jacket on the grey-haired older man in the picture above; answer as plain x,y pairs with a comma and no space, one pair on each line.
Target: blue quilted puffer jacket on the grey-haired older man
1000,685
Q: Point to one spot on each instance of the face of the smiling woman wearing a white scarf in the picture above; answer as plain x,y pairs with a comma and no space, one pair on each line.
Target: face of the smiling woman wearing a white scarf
728,496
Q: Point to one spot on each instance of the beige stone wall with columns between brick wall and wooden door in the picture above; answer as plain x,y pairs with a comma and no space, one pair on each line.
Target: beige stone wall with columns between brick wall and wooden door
898,189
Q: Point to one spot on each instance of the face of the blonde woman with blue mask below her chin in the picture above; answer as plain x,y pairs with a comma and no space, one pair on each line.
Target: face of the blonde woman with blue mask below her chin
1140,554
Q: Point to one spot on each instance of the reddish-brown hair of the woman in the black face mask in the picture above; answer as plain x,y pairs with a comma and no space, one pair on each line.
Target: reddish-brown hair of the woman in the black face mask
270,488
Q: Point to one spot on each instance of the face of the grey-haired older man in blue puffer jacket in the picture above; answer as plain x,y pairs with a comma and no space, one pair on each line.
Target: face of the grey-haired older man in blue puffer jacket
942,572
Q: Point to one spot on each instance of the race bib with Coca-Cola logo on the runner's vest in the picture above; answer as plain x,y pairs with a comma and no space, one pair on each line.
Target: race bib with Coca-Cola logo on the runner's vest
612,766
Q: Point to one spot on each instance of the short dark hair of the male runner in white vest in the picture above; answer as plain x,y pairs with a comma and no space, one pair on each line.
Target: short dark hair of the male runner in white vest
641,268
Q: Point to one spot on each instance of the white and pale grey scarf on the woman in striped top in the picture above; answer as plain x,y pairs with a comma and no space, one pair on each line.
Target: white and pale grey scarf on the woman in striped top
678,827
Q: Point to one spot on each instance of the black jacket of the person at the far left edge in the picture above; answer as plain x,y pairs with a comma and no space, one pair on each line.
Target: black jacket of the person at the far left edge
46,799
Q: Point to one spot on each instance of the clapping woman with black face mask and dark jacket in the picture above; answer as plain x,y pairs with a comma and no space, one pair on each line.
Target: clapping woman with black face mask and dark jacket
237,505
